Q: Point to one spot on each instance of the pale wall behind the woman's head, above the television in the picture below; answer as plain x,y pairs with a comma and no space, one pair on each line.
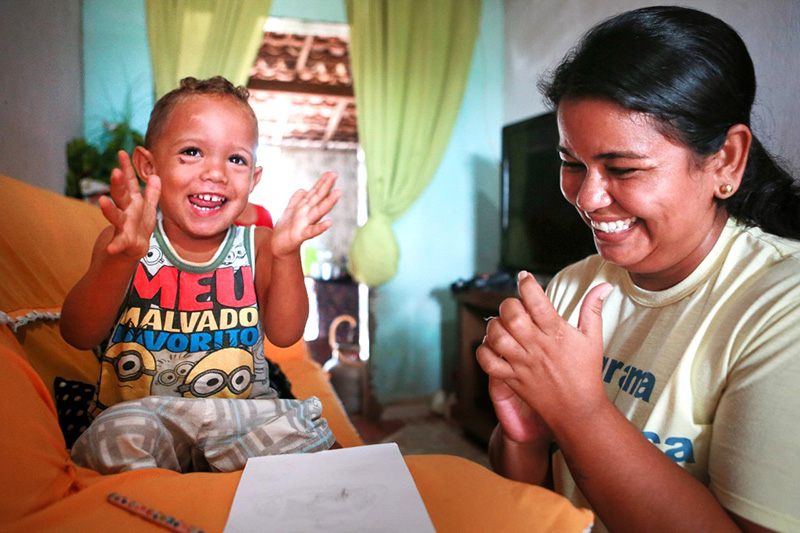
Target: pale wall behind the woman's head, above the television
538,34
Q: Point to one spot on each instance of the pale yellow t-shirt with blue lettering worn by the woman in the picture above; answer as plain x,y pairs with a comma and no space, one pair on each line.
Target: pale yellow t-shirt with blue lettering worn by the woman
708,370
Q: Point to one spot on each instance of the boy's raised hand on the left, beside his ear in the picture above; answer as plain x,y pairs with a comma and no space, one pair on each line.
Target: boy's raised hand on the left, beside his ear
132,214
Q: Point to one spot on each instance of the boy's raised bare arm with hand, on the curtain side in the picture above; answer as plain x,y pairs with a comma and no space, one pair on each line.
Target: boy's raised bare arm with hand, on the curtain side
279,280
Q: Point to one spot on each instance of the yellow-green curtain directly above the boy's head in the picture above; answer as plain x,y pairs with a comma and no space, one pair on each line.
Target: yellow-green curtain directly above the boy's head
203,38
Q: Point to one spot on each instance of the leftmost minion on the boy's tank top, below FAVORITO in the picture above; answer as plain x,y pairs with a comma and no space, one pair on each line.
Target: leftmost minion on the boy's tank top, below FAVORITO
126,372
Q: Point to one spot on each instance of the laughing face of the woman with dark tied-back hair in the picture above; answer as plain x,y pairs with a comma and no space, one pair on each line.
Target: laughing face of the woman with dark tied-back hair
650,204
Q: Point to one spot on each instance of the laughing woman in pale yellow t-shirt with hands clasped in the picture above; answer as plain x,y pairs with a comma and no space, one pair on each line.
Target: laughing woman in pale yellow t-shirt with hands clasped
663,367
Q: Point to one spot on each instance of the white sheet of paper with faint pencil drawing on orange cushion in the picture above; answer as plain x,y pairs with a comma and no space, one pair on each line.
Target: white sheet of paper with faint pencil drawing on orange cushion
365,488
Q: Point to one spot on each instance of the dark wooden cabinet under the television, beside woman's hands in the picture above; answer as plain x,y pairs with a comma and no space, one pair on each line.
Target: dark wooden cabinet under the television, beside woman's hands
473,409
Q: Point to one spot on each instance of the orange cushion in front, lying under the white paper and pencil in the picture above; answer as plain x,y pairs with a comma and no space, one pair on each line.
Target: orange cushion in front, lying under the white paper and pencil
460,496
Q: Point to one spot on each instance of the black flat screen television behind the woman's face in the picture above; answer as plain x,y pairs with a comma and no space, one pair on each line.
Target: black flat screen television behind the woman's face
540,231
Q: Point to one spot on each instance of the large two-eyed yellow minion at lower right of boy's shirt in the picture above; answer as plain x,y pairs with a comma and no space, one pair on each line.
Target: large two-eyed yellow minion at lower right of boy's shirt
223,373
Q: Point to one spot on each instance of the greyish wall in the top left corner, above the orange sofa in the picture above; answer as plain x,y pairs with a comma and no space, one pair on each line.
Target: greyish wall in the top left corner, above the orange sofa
40,88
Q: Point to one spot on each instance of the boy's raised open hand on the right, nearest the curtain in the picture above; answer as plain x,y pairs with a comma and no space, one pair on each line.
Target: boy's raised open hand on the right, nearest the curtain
301,218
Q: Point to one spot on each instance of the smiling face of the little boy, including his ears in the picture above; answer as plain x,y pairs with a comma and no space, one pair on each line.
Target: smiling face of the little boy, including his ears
205,157
